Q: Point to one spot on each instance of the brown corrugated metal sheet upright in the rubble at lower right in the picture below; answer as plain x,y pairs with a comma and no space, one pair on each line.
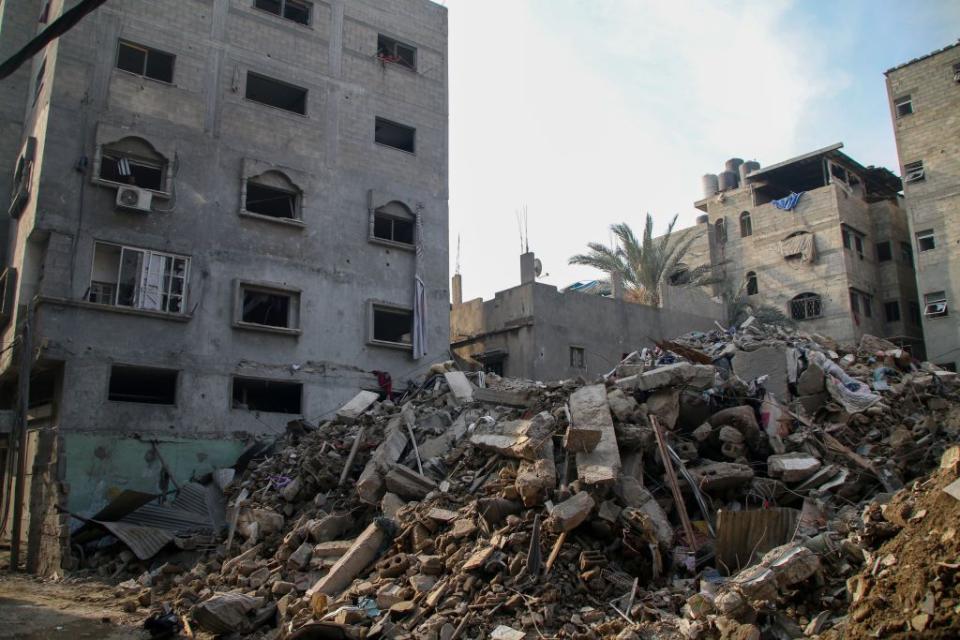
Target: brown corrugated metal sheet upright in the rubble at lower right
744,536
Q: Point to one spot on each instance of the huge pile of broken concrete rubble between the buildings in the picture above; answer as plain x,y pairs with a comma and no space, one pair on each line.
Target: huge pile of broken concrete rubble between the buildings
722,485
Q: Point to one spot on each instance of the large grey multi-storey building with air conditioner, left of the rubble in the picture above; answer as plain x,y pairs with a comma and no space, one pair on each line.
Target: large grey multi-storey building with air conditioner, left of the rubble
224,214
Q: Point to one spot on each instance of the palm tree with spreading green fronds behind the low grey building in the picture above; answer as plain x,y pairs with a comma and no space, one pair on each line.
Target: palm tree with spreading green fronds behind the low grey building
644,264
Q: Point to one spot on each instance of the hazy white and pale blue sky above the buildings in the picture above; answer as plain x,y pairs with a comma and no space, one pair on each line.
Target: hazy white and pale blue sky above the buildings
589,112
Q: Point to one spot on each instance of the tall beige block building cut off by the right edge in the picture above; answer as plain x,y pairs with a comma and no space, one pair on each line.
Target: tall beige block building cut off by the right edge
924,99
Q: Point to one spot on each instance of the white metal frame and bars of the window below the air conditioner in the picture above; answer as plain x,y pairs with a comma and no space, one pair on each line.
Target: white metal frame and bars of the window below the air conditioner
142,281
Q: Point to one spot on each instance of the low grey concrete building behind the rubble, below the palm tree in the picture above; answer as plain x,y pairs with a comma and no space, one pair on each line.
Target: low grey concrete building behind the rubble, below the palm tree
538,332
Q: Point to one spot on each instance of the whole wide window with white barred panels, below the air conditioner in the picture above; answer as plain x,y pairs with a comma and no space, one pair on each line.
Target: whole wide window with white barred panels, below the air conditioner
131,277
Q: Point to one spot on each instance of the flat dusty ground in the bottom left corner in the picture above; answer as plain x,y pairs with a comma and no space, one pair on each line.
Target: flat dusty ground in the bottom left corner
31,609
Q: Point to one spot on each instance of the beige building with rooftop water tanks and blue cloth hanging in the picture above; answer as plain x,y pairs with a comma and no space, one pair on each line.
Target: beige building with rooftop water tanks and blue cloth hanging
820,237
